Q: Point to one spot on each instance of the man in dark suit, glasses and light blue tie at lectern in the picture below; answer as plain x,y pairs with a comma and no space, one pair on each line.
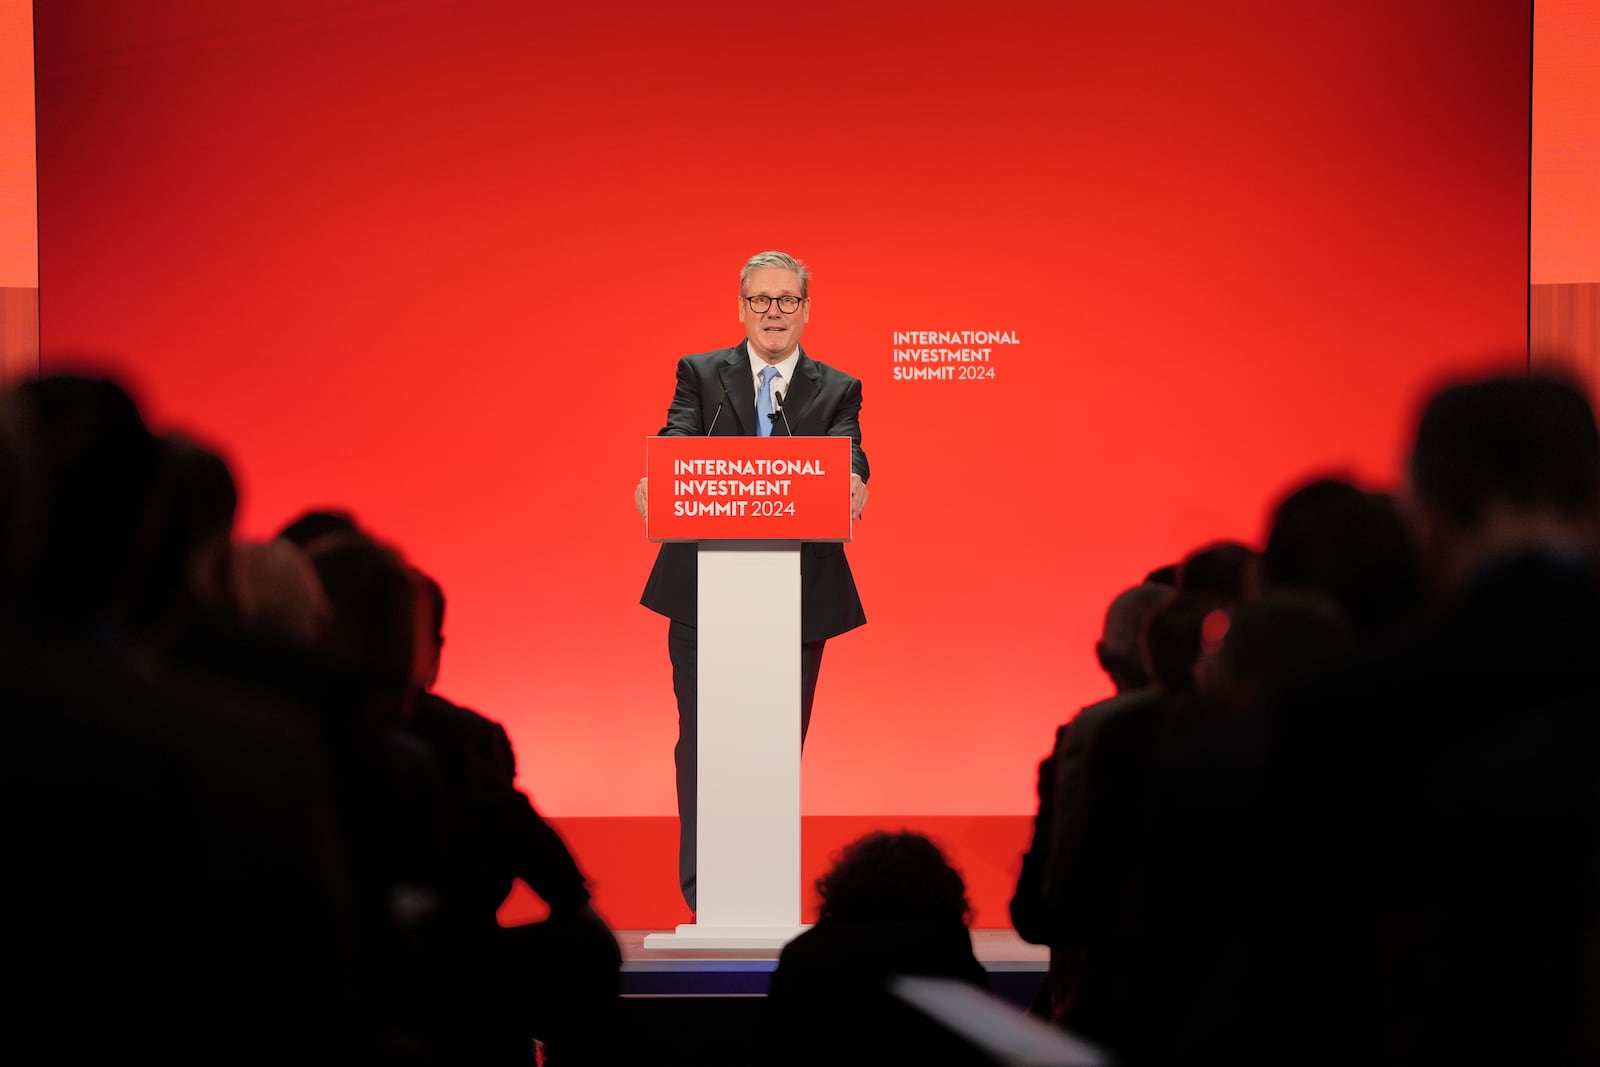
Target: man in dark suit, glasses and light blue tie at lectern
718,394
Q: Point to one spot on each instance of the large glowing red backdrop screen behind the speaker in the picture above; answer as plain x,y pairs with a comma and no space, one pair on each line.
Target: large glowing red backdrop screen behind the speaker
436,262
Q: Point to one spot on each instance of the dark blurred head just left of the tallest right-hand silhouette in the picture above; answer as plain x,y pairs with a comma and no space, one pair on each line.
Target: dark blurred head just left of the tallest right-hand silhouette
1332,535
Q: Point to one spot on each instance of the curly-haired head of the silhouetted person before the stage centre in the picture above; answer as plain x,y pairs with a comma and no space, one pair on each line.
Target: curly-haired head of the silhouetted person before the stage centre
894,877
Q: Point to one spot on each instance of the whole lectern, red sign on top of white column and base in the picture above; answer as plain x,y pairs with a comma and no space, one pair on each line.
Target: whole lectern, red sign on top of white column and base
748,503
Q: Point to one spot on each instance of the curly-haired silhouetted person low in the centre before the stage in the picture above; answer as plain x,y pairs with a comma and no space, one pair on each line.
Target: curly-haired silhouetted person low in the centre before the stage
892,905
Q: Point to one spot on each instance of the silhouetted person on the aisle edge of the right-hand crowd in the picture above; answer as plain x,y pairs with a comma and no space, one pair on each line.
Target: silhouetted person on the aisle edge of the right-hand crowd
1121,655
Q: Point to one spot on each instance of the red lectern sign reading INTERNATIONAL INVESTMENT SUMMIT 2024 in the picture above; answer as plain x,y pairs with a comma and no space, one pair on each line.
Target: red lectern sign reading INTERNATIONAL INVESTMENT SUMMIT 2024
748,489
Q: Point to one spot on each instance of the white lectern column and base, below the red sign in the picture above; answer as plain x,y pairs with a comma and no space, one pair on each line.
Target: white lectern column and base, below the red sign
748,841
